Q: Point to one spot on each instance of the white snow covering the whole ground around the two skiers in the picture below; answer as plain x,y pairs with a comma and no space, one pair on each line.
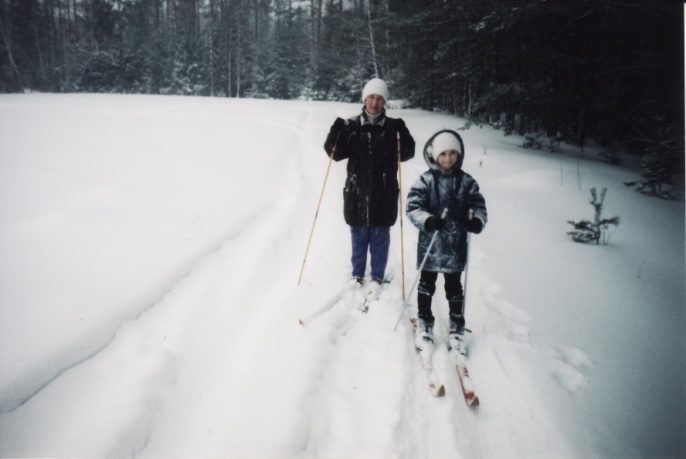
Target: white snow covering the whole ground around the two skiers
151,248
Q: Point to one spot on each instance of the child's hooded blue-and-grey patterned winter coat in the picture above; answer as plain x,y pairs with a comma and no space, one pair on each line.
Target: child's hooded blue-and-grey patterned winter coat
434,191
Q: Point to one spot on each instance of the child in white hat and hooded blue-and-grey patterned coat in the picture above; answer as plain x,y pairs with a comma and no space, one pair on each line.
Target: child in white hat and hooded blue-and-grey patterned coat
444,185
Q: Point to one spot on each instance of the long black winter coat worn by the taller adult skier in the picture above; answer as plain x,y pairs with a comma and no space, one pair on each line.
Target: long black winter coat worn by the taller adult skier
370,196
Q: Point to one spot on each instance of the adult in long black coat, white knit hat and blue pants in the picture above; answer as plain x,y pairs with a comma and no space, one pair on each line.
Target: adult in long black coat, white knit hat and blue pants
370,142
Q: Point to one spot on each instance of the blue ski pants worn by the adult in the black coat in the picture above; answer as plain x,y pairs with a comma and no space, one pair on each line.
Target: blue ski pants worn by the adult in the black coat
376,241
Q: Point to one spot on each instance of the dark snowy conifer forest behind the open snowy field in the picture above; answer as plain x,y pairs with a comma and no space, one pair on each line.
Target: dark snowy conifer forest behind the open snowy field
608,71
